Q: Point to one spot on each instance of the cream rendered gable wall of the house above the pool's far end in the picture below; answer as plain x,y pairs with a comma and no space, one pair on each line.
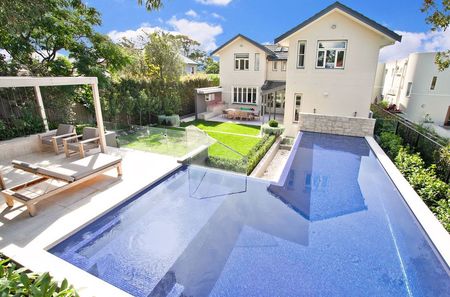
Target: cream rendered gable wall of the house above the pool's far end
340,92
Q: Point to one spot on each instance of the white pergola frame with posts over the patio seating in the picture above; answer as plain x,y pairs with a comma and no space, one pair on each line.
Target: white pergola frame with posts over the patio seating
37,82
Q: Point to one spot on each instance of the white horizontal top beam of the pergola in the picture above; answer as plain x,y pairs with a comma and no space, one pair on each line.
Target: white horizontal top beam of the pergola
30,81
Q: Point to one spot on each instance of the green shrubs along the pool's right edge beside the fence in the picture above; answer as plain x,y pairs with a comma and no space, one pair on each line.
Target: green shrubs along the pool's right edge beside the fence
433,191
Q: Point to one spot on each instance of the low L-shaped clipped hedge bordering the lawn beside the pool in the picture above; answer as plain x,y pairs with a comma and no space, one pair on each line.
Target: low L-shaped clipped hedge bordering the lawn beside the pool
247,163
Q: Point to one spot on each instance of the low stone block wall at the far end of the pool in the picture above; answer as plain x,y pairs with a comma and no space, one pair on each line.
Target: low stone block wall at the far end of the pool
351,126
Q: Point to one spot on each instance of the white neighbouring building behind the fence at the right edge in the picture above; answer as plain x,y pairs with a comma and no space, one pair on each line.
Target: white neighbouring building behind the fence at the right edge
417,87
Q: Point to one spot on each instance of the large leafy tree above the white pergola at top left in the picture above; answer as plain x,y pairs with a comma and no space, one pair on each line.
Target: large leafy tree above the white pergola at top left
34,35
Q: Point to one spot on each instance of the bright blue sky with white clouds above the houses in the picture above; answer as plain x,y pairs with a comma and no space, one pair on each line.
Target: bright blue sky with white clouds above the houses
213,22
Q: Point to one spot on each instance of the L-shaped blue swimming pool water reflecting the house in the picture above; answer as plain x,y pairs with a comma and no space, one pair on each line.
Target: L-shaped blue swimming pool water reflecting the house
336,227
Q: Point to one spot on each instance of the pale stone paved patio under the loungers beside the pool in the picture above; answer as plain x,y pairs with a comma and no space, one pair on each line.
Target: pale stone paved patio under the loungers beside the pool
26,238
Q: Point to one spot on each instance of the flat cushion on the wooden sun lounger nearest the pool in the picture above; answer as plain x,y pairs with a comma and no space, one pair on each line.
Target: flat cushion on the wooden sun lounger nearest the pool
81,168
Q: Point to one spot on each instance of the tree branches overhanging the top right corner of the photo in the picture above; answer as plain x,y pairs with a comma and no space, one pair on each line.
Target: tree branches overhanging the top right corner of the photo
439,18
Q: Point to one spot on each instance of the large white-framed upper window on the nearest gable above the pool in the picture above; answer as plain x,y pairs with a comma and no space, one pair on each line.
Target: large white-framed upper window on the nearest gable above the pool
331,54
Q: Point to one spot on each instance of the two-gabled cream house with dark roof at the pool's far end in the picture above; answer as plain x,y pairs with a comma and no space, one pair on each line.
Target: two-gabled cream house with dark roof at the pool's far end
323,68
